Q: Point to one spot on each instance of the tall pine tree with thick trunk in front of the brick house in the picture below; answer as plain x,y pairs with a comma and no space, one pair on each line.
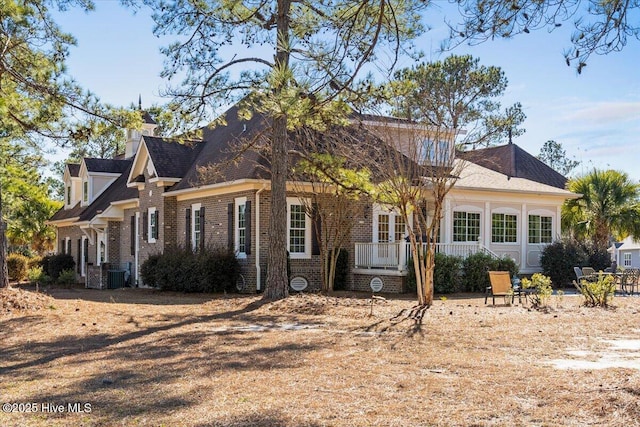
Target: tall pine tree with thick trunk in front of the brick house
293,61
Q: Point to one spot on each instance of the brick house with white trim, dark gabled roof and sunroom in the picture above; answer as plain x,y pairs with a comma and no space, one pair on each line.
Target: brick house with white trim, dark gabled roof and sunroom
163,193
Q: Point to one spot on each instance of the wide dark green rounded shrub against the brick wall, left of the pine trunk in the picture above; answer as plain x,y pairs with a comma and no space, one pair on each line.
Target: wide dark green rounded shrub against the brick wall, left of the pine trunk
179,269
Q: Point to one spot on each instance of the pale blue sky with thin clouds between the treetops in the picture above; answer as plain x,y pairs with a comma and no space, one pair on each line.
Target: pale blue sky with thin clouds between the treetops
595,115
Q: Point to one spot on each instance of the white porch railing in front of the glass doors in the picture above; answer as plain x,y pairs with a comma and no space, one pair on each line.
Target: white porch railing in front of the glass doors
395,255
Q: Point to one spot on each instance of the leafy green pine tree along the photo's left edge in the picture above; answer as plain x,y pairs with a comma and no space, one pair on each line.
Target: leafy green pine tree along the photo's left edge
38,101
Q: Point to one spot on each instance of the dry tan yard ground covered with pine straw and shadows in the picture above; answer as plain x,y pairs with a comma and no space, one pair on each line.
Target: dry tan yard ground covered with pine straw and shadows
134,357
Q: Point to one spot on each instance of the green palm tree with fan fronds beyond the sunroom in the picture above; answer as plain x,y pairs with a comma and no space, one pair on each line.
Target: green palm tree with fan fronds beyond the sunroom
609,207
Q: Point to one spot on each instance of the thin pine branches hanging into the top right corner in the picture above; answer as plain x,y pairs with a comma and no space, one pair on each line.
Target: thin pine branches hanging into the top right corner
600,27
